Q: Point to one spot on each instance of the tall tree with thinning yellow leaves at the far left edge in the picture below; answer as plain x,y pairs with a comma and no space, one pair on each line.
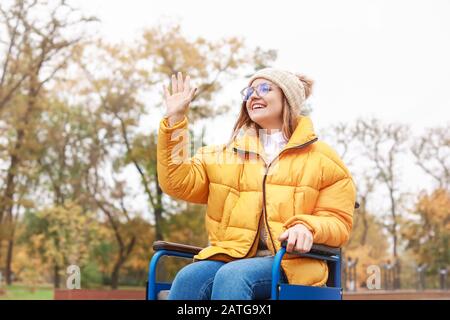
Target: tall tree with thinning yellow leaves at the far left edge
32,53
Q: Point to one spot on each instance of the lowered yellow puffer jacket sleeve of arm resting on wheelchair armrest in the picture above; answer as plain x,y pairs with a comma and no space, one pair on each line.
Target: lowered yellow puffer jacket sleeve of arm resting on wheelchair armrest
332,218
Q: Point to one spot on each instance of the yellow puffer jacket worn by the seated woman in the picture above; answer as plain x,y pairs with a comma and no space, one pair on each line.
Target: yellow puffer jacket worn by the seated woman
307,184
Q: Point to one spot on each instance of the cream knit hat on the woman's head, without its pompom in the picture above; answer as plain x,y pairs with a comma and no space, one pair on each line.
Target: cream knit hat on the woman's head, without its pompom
291,85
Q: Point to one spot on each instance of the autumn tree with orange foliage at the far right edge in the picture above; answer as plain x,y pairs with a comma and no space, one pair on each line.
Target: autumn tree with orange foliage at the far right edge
427,233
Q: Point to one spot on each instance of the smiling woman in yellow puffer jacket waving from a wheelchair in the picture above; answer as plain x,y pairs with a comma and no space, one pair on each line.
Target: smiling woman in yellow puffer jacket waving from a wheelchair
273,182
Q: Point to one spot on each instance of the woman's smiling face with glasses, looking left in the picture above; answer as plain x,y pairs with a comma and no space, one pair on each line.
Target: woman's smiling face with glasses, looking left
266,110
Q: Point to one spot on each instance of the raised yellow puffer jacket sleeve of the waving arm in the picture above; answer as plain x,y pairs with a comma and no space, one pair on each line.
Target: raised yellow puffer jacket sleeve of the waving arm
178,175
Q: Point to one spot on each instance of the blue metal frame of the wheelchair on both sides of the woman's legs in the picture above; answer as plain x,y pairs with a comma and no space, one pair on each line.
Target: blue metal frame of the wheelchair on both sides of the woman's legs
279,290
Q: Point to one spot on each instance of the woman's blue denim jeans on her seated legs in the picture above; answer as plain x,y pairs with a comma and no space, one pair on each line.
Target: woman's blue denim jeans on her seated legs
244,279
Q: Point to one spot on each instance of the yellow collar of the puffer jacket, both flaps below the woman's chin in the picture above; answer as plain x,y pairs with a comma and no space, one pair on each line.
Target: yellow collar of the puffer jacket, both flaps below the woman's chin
247,140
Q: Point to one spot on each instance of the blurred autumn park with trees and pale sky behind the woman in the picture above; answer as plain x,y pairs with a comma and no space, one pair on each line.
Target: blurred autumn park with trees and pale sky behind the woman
81,100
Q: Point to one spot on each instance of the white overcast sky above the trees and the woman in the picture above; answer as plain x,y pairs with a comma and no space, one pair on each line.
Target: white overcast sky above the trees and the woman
387,59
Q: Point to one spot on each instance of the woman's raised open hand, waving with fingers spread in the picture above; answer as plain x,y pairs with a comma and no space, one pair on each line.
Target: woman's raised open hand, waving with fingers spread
177,103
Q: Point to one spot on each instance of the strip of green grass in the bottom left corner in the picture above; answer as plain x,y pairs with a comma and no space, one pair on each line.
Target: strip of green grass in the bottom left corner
23,292
